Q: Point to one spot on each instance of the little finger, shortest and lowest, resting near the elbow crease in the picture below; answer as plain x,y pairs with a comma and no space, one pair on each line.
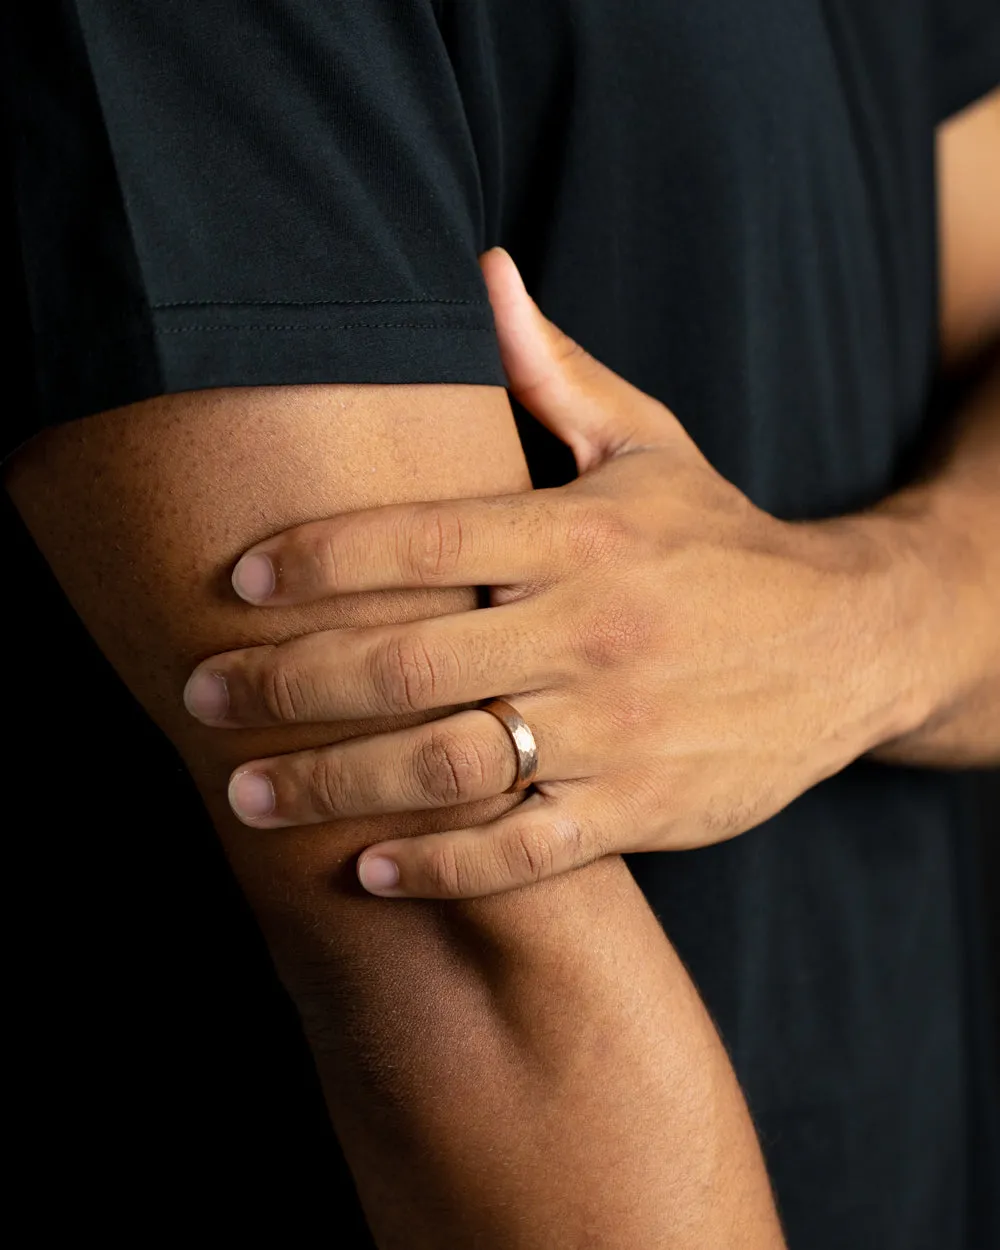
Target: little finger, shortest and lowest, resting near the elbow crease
569,826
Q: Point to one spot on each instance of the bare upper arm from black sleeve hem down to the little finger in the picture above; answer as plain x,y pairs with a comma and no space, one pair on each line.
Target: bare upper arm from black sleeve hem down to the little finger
143,512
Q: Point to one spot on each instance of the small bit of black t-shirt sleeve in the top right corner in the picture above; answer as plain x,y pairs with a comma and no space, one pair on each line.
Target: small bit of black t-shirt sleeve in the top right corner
967,53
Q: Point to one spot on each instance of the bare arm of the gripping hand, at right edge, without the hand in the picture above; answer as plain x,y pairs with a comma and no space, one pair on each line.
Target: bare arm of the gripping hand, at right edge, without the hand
943,532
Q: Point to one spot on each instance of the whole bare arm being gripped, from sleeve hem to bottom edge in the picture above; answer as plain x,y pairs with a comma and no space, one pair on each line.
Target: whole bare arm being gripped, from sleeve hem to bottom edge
533,1071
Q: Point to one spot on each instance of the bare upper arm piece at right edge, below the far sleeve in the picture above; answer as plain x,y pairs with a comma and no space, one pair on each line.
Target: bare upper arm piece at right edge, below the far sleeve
969,208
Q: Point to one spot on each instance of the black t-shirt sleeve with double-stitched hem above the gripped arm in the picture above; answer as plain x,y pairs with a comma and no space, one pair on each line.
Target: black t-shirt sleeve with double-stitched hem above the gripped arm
237,194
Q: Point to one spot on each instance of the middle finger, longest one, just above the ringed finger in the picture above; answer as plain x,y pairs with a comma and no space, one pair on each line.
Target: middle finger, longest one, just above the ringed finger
384,671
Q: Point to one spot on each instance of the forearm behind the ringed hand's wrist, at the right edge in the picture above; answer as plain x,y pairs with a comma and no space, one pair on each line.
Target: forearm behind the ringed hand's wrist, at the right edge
938,548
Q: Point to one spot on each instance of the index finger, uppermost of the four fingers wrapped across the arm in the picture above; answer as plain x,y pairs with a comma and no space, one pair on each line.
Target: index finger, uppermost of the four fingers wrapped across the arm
457,543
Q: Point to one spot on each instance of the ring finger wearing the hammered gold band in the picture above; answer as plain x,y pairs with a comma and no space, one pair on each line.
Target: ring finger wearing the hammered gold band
454,761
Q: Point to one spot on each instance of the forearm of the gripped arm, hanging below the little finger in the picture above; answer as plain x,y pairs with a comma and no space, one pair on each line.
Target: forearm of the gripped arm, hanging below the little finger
532,1071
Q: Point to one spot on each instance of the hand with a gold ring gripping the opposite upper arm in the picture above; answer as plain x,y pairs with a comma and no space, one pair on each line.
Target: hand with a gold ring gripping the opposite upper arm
688,663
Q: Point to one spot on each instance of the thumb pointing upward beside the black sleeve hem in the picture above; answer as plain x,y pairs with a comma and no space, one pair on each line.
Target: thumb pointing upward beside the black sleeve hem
592,409
